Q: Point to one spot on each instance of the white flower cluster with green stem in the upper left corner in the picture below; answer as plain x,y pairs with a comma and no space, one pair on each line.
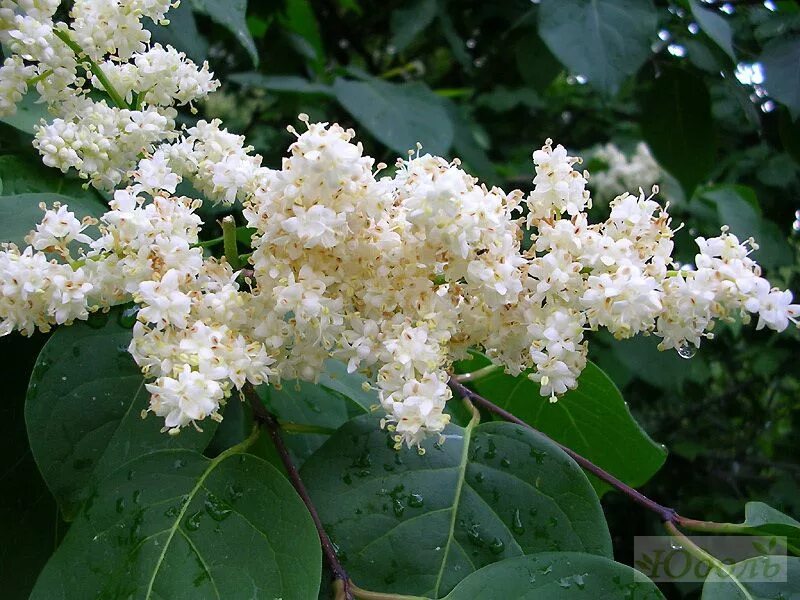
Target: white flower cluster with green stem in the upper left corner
105,47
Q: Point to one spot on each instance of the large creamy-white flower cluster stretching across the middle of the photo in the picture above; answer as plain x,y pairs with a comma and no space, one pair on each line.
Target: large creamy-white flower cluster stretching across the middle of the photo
396,275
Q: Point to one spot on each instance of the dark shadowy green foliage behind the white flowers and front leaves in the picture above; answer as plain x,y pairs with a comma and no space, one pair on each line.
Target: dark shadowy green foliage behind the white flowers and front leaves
488,82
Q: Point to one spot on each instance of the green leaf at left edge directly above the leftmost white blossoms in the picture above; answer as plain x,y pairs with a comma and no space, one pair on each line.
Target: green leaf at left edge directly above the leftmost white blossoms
19,214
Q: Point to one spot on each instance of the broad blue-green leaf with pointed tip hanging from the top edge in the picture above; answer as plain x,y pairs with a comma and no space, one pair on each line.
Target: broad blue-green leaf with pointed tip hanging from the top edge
603,41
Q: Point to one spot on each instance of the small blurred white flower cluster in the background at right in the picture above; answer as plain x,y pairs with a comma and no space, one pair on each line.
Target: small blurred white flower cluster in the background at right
623,172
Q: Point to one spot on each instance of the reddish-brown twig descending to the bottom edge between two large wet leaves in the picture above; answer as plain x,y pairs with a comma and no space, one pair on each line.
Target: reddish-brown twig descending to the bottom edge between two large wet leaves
269,421
